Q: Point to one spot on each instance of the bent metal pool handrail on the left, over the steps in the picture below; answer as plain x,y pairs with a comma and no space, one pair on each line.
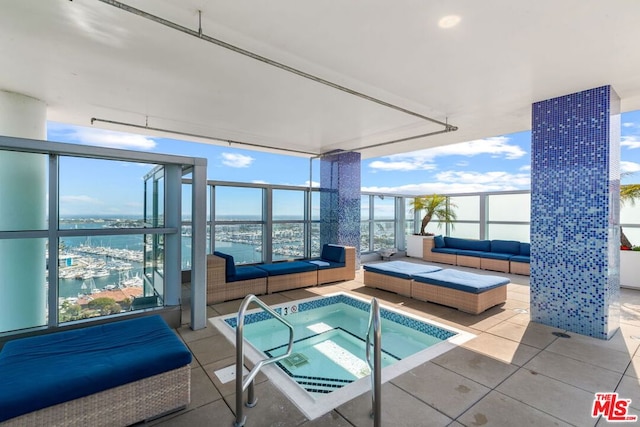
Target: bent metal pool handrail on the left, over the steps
240,385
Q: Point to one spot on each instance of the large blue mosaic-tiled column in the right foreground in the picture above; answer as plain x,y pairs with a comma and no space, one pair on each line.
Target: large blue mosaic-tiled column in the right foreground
575,202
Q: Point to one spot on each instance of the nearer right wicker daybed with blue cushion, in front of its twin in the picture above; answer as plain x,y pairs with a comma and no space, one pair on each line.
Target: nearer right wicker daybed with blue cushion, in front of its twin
468,292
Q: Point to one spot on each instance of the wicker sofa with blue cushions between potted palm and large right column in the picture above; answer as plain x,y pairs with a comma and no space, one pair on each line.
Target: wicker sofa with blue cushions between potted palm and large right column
507,256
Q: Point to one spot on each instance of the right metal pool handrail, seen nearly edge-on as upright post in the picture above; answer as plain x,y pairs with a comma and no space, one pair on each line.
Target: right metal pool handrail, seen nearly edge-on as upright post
376,367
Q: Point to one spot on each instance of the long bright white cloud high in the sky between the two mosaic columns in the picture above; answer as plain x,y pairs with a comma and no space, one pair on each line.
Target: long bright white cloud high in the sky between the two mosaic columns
424,159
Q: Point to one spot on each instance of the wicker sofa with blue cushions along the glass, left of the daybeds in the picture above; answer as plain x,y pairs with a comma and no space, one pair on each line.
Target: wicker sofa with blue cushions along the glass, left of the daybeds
226,281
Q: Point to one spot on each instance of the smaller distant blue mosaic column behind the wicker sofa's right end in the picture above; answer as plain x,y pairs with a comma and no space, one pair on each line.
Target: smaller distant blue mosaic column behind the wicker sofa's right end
340,199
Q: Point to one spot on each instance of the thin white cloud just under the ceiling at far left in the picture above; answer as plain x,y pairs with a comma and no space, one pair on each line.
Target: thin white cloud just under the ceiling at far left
102,137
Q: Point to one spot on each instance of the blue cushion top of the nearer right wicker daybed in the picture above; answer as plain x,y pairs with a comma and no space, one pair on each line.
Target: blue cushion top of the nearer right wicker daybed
461,280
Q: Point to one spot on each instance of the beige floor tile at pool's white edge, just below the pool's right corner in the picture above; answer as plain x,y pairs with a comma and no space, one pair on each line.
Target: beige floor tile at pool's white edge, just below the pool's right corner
478,367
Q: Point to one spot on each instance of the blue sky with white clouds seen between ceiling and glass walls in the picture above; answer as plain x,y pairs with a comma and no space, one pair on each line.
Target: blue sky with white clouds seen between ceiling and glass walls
497,163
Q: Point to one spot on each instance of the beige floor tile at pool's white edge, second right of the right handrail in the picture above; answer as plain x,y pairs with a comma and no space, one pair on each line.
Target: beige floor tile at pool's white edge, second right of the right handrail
446,391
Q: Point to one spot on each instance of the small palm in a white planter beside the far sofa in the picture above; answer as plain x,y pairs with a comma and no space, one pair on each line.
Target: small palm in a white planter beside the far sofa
434,206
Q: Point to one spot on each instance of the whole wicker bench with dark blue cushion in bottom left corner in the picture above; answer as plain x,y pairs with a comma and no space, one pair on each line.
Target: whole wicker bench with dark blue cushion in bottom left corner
114,374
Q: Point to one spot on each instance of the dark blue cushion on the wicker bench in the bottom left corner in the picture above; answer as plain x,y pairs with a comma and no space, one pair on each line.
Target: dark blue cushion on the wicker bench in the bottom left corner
38,372
